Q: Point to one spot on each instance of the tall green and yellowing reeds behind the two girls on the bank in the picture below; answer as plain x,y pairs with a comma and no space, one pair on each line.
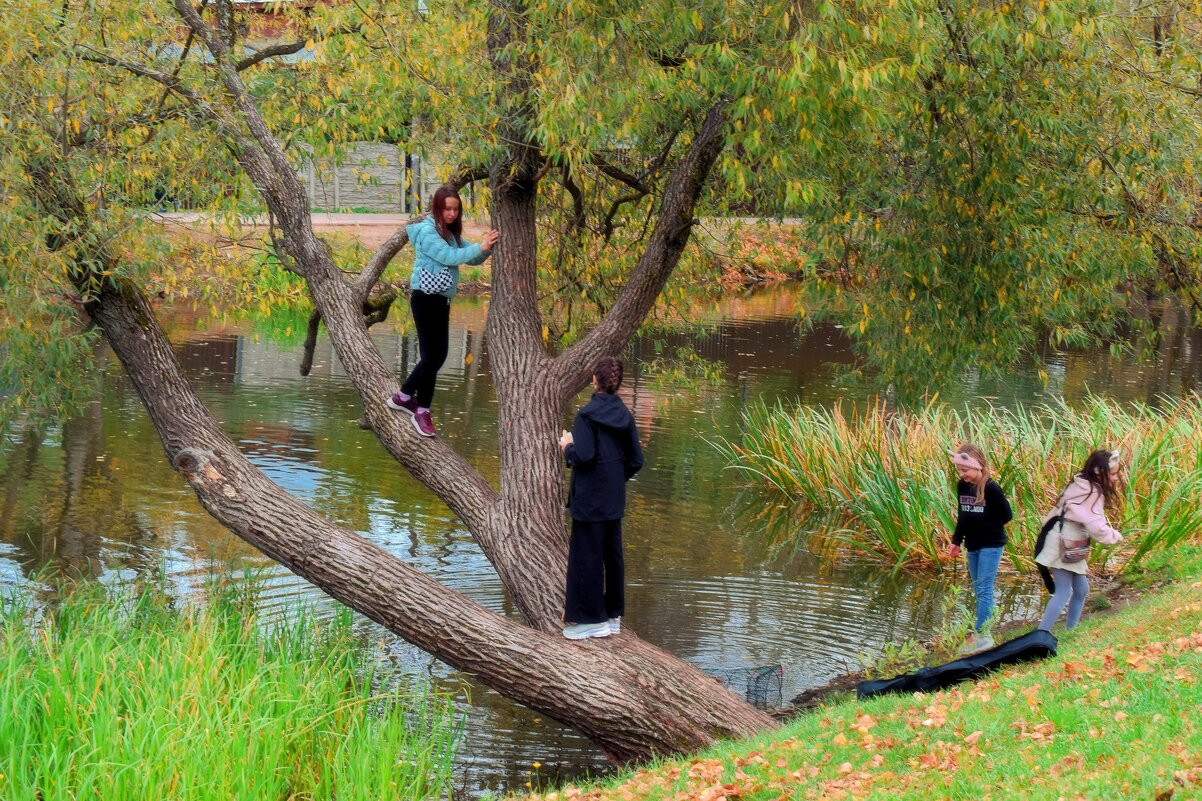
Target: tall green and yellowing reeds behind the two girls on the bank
880,483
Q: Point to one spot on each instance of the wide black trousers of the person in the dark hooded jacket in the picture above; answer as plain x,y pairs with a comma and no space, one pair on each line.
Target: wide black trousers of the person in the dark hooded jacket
597,573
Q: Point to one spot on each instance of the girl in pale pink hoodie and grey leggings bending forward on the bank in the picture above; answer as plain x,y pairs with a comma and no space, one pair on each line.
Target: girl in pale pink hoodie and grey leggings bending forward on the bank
1084,505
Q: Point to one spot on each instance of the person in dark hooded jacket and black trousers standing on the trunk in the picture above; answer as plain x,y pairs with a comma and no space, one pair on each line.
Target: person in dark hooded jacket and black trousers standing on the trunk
604,453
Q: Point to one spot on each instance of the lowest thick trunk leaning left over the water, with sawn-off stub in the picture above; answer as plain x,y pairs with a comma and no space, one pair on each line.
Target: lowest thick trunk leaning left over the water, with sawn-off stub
632,699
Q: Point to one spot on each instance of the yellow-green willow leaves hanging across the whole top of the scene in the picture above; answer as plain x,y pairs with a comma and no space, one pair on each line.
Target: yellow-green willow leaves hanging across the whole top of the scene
965,176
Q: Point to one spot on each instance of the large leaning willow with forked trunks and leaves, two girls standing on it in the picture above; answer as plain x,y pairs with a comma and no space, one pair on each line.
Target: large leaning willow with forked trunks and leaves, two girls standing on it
599,129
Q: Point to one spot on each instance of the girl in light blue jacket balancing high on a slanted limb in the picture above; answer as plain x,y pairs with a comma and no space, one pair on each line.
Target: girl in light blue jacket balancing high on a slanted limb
439,248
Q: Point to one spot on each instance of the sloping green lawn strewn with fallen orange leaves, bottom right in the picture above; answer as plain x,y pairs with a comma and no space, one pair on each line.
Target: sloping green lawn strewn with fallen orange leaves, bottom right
1114,716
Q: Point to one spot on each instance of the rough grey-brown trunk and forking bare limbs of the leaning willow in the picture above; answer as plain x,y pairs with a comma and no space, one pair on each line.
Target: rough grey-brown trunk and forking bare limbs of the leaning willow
630,698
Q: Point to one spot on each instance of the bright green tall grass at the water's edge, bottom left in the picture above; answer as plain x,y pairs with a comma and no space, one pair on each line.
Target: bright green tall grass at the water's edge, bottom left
109,696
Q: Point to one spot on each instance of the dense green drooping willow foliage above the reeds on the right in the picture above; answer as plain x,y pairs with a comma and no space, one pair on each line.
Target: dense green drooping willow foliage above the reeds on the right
1027,170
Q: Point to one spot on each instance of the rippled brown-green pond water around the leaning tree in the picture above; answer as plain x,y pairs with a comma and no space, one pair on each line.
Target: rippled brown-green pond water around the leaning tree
97,499
